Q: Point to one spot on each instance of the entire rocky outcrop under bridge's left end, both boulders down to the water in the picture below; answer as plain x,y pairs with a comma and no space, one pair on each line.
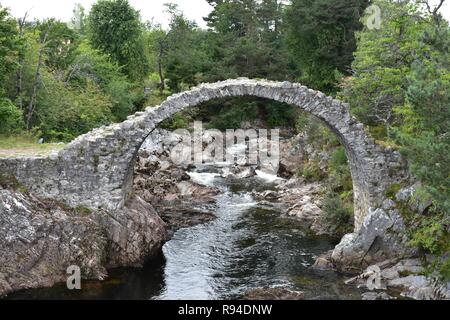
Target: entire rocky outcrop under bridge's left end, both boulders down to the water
40,239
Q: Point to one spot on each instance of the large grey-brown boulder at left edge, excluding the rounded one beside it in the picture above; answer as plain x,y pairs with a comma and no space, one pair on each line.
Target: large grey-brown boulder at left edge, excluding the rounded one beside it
39,240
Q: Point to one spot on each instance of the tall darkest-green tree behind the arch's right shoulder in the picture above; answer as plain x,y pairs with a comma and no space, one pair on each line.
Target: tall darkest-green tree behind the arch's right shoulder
321,38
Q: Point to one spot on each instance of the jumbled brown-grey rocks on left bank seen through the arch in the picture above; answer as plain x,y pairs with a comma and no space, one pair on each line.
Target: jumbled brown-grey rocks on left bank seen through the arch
179,201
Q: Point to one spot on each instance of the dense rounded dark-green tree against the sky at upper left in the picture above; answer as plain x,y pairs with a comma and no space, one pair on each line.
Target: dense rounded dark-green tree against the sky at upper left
115,29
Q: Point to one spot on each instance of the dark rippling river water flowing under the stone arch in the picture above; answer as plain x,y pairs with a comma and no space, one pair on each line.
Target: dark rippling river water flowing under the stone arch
248,246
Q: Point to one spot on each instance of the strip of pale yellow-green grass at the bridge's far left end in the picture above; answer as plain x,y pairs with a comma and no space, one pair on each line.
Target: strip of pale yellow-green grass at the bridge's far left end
24,145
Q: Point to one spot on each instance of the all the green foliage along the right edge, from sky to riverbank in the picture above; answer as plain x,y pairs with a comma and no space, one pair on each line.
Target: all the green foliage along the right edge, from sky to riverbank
401,88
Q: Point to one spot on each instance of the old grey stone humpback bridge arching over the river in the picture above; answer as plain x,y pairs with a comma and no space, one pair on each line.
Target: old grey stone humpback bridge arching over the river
96,169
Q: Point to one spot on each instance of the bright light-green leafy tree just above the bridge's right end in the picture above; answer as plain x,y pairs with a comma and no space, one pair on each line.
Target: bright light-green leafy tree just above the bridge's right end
382,64
